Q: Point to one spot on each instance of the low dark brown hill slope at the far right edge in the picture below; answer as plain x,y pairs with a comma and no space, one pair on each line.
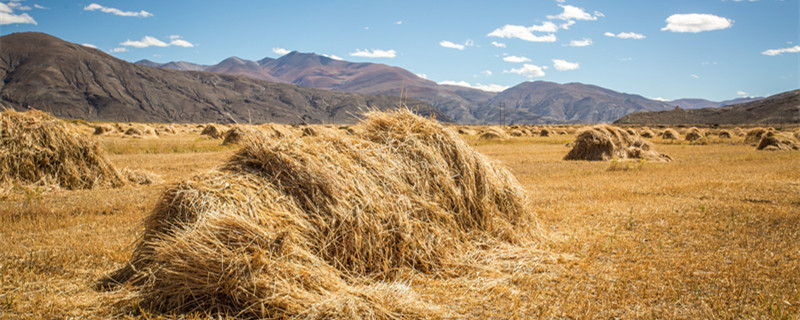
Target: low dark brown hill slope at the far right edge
780,108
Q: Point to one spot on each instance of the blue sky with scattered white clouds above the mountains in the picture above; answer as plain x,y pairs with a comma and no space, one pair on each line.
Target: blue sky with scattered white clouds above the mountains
710,49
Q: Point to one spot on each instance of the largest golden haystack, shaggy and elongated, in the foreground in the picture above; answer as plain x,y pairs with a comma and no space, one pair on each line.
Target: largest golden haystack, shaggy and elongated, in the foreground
322,226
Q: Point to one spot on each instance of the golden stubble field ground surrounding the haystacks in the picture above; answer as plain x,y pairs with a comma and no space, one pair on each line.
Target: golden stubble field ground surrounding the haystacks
713,234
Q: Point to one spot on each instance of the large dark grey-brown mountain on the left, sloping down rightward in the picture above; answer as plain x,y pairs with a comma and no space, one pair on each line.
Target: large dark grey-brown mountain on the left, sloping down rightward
72,81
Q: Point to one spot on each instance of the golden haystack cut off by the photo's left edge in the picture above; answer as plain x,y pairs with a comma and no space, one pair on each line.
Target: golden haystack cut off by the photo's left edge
36,148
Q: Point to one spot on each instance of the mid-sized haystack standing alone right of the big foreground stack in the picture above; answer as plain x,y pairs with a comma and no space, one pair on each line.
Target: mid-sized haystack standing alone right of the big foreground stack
605,142
